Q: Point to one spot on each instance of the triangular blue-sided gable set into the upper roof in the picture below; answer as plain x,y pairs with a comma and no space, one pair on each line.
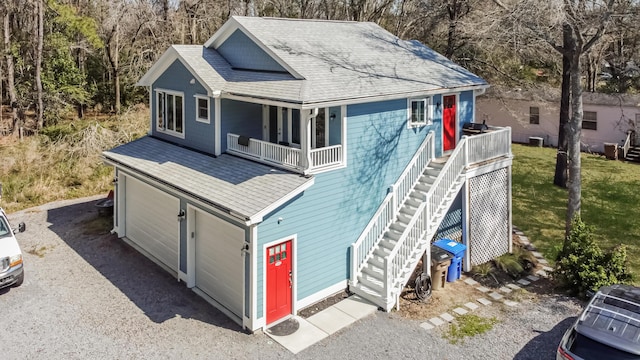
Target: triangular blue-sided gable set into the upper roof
242,53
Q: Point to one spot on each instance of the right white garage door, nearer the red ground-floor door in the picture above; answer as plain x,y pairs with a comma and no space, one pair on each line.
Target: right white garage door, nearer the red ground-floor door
219,260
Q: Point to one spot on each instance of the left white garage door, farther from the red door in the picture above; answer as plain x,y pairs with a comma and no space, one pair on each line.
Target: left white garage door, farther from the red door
152,221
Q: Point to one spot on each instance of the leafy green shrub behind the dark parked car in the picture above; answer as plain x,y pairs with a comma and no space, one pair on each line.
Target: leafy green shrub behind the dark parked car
582,266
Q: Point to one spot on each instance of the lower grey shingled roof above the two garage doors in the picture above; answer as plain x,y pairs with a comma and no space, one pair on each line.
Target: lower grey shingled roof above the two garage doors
243,188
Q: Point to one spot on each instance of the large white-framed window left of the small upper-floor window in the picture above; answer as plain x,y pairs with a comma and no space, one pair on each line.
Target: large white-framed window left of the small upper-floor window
170,112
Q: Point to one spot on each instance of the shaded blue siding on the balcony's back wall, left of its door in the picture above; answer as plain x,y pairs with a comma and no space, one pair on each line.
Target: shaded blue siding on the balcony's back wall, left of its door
240,118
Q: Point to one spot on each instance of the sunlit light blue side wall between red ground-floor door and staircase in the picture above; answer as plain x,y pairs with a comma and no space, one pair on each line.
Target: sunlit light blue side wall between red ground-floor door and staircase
330,215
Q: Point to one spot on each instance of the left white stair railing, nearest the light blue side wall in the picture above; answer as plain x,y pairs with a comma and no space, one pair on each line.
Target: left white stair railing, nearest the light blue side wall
388,210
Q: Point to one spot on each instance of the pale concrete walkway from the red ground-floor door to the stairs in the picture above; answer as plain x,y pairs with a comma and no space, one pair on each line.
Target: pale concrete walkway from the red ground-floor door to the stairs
325,323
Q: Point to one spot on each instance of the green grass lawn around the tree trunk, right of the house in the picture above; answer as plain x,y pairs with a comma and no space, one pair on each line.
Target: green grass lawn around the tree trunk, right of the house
610,201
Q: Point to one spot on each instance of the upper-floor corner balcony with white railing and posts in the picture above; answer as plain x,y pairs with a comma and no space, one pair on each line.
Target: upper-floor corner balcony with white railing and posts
302,140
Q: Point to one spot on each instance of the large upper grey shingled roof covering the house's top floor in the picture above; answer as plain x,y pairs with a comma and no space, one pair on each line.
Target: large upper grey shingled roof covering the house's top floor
326,61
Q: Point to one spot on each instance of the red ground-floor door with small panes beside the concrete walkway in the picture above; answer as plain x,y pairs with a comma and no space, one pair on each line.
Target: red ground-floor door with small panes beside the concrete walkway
278,281
